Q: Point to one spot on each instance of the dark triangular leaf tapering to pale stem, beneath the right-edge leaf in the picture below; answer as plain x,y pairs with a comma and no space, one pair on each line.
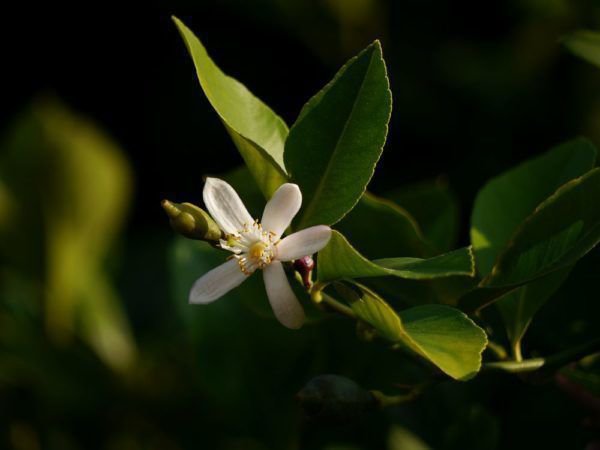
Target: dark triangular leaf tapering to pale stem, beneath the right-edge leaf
518,307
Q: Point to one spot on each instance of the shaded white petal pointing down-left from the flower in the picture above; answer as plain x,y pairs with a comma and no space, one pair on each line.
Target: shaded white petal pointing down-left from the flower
217,282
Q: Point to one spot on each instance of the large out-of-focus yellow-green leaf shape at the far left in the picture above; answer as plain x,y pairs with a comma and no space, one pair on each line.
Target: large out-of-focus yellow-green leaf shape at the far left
81,185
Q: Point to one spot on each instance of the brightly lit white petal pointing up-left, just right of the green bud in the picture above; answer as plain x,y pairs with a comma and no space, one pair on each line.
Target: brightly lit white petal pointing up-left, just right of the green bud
225,206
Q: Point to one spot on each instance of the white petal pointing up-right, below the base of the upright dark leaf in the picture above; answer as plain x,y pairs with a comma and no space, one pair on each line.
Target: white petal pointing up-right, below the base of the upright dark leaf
282,208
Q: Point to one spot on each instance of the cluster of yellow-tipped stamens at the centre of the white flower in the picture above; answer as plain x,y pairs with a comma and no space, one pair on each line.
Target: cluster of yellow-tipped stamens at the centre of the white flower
253,247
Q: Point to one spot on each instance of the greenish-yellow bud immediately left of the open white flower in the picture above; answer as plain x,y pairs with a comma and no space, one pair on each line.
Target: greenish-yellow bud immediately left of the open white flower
191,221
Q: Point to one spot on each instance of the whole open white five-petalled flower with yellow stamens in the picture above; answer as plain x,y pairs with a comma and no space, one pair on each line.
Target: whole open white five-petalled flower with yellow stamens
258,246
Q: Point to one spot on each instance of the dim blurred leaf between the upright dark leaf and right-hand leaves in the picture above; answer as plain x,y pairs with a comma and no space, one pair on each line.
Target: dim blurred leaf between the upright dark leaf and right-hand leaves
435,209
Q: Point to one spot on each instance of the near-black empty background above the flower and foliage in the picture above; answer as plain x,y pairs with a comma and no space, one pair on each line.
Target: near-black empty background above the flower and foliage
475,85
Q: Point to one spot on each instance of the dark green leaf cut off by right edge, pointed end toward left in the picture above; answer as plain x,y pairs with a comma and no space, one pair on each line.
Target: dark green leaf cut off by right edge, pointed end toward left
561,230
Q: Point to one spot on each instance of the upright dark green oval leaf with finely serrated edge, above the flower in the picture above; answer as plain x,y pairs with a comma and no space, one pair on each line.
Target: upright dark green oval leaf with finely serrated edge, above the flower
338,138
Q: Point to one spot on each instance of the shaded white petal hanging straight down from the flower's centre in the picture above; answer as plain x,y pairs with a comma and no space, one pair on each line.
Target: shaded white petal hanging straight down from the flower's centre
285,305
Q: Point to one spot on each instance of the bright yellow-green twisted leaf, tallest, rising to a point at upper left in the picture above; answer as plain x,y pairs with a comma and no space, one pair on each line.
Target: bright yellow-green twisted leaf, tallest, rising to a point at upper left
258,133
